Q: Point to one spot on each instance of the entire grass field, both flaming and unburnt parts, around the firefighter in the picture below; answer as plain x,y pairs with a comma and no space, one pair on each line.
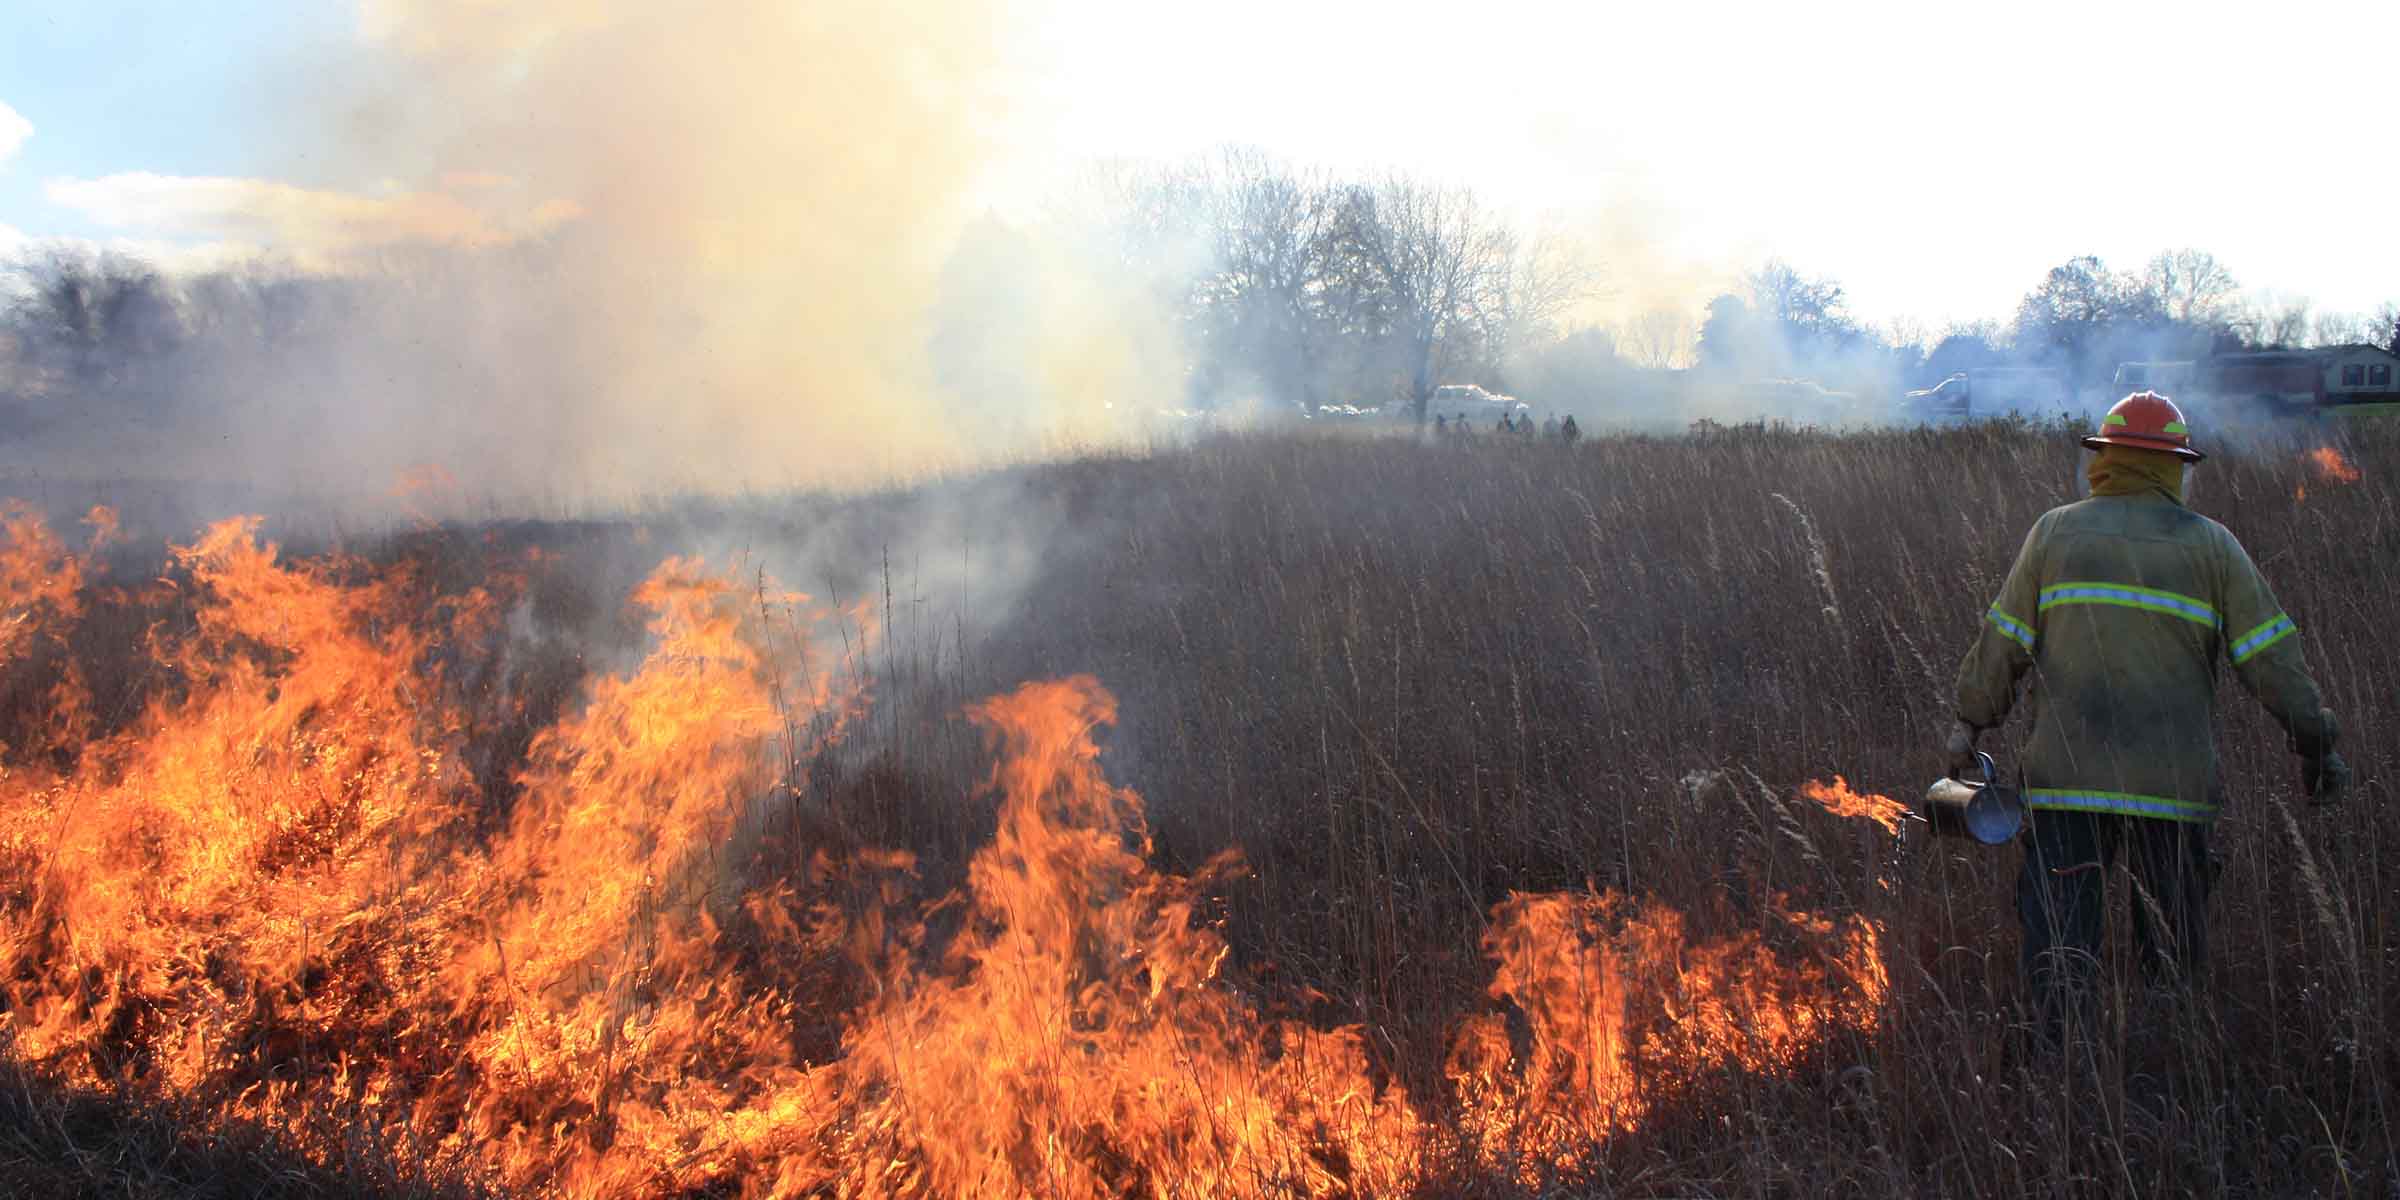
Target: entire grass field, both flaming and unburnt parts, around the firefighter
402,863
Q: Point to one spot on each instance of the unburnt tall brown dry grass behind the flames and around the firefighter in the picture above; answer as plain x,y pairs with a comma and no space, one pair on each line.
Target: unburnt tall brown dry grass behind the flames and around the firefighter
1412,678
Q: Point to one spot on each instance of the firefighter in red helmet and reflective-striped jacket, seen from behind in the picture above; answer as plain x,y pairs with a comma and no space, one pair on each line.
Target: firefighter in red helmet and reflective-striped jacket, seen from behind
2123,608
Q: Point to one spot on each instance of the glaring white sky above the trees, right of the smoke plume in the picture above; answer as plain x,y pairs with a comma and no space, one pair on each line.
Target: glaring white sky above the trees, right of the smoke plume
1933,157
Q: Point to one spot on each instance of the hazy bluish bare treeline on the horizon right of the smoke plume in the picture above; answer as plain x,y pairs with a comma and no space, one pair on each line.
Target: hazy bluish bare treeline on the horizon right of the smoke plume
1300,289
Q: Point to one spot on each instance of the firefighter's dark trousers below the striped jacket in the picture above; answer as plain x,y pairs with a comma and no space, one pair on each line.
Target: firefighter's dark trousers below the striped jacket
2060,906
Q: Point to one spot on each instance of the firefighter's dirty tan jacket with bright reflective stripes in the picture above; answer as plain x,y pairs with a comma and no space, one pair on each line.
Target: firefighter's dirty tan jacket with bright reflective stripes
2123,606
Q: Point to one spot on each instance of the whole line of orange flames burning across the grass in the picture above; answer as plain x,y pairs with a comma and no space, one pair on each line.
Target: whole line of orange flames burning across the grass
301,892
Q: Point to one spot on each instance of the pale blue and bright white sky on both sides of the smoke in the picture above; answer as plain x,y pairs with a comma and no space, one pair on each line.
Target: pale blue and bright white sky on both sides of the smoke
1931,157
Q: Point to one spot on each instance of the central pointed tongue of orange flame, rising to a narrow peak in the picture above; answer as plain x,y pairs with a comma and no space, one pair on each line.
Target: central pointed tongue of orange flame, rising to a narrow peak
1079,1040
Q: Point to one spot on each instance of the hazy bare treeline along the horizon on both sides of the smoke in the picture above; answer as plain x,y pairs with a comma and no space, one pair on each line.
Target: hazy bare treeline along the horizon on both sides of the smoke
1278,289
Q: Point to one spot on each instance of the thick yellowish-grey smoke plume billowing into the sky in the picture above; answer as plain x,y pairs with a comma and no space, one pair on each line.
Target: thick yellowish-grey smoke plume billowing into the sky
625,251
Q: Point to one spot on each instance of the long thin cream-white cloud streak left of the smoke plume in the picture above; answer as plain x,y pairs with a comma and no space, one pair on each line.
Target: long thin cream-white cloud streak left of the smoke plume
301,220
